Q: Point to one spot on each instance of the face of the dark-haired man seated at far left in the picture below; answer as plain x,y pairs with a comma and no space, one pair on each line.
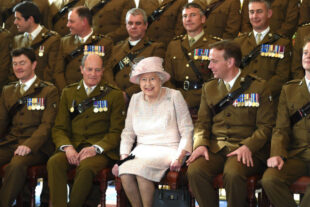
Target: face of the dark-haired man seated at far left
23,68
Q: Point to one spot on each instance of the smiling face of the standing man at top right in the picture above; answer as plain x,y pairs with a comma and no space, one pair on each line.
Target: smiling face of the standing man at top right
259,16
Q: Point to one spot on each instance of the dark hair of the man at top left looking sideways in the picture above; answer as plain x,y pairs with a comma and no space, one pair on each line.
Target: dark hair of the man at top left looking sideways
28,9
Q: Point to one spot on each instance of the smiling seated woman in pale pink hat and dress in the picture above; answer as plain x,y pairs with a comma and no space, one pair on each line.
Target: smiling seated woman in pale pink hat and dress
158,121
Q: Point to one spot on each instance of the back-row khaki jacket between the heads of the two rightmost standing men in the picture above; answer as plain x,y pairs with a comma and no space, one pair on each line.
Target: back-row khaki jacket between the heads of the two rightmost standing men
225,20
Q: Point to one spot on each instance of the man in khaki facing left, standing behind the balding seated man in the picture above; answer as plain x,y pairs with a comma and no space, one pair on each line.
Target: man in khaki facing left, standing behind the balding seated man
71,48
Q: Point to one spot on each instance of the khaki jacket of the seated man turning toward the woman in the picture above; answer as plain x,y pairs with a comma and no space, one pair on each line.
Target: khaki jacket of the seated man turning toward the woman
250,126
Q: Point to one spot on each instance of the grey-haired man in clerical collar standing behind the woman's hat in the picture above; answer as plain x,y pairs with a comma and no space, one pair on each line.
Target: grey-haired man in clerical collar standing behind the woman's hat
137,45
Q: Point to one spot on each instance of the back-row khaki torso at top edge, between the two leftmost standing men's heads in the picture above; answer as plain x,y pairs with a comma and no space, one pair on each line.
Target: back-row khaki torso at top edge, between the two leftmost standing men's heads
58,14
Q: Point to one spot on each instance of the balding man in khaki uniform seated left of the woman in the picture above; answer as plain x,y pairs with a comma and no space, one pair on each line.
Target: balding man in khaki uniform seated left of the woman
86,133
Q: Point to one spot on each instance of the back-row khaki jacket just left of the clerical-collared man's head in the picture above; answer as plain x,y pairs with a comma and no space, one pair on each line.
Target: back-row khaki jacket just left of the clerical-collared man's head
110,19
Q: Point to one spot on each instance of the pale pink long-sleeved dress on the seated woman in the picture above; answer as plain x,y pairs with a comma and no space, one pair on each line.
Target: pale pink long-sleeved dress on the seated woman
161,129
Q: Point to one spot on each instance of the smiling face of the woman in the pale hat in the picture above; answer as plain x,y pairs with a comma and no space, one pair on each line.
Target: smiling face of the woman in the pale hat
150,84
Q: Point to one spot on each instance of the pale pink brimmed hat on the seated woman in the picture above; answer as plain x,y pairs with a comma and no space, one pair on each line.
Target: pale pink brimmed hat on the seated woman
148,65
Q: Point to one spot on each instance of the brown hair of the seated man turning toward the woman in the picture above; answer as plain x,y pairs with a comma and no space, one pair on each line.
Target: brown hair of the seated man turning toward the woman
231,50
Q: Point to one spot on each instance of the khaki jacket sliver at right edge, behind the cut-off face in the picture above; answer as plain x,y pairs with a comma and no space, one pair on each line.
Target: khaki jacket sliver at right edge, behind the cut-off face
297,70
